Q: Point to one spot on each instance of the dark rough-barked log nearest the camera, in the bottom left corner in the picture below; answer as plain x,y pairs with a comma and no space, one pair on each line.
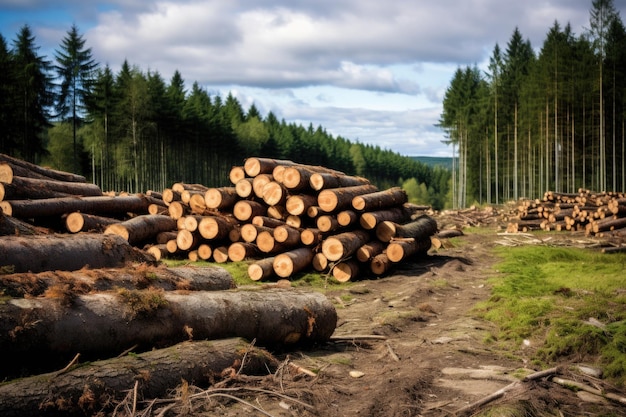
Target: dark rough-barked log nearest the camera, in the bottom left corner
97,387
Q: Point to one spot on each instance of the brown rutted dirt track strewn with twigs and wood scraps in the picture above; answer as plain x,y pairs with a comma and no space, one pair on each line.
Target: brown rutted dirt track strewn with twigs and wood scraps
429,359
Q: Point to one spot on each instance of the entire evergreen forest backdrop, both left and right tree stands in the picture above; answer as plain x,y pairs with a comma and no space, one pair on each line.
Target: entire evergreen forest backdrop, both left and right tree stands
552,118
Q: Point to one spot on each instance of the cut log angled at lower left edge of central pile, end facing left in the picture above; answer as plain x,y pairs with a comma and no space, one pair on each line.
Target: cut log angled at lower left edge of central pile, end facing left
141,228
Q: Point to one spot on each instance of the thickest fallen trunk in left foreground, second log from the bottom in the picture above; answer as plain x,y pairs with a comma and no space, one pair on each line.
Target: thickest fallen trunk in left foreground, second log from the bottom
151,318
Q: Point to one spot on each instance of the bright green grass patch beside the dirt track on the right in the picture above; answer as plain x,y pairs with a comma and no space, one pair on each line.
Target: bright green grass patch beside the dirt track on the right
549,295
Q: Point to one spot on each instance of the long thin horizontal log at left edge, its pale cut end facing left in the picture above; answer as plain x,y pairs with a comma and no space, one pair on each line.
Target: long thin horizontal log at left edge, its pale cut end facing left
27,209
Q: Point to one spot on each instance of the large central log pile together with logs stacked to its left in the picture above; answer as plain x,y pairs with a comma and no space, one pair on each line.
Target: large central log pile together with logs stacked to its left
282,216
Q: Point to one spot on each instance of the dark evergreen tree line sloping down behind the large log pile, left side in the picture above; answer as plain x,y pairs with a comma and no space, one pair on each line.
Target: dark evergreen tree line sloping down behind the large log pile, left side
133,131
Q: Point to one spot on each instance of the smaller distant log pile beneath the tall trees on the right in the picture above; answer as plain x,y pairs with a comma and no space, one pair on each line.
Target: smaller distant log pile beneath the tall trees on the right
595,214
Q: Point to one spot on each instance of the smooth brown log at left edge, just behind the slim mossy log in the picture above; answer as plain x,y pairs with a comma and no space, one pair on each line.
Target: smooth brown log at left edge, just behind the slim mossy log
67,252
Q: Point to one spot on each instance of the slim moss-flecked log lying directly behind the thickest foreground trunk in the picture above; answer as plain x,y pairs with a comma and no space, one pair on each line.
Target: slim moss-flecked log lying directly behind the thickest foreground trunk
67,284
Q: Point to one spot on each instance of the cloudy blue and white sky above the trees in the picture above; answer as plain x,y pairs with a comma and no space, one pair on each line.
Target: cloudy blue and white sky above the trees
370,71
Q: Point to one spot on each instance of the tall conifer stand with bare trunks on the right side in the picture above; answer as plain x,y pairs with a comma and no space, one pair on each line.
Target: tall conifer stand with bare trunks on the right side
552,119
